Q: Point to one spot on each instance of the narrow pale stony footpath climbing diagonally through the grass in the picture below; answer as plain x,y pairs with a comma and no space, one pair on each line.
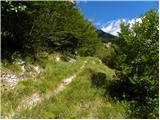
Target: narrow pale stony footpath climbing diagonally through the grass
35,98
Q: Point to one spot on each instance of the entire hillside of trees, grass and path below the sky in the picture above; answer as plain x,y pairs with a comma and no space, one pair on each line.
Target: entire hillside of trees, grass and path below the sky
56,64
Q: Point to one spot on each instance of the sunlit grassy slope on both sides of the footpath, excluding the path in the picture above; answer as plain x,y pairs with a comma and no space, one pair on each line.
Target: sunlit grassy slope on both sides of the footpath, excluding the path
82,98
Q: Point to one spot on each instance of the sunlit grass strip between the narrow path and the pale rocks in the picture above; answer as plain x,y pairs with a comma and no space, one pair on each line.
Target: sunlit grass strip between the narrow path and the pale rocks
54,73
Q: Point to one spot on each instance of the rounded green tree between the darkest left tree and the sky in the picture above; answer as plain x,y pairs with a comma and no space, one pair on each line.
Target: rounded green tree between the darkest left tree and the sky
60,26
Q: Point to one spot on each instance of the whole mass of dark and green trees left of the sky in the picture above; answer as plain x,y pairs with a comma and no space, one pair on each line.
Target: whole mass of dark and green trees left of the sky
46,26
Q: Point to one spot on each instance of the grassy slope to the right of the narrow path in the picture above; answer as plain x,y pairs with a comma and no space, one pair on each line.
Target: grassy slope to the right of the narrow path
80,100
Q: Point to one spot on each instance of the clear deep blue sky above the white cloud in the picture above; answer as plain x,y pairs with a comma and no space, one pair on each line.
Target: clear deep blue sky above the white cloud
101,13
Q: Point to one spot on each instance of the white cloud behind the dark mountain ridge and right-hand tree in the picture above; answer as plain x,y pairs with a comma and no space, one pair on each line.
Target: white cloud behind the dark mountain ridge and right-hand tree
113,27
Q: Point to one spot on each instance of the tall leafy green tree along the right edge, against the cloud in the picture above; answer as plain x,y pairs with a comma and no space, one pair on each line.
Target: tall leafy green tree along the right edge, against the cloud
137,60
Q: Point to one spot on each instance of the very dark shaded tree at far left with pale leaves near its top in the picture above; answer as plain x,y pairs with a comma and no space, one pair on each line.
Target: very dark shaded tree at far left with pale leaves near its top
14,27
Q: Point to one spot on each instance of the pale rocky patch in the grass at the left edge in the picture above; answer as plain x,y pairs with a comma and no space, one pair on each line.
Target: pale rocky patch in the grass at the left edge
11,79
